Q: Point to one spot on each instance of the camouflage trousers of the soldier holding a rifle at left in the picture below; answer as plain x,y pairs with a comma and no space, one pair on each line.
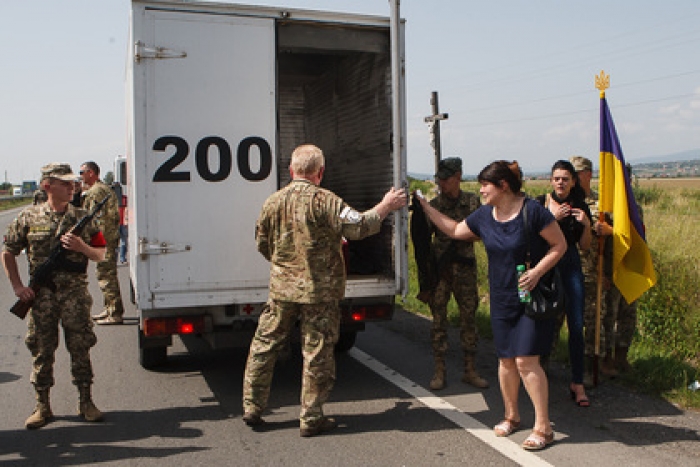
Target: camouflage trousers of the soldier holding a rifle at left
70,306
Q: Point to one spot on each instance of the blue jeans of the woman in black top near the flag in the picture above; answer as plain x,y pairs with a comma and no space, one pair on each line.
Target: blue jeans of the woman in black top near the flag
572,276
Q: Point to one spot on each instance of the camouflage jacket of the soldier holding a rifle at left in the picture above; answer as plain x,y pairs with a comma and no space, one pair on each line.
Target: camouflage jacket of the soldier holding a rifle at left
38,229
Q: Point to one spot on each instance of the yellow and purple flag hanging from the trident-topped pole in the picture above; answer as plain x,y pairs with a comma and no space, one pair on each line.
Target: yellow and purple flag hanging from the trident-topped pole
633,271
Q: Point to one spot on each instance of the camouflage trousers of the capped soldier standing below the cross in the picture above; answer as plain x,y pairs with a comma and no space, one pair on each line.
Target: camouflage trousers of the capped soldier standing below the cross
458,280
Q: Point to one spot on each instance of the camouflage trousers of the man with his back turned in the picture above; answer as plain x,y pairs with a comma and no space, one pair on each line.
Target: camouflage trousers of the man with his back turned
320,328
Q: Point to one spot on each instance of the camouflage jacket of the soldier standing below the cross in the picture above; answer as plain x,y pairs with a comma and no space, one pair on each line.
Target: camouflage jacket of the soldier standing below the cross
457,209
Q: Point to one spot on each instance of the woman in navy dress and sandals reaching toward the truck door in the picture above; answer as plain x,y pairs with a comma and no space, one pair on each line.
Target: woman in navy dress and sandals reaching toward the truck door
519,340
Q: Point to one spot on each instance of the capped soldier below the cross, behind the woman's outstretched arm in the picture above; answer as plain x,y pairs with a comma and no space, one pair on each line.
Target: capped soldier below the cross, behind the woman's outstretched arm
456,270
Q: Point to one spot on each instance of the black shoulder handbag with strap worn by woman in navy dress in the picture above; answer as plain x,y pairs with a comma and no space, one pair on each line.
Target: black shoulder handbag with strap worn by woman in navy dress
547,298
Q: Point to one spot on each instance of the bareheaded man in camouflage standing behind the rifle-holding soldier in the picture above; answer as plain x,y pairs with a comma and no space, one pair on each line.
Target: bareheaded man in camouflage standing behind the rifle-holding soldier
113,310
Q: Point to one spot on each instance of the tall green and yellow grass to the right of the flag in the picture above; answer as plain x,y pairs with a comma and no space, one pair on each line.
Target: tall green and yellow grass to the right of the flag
667,346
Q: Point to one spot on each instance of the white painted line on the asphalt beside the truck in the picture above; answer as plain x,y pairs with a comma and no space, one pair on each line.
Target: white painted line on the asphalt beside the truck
503,445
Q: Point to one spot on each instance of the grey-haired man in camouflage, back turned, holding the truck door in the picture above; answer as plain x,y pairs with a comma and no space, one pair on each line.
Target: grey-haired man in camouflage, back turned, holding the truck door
300,230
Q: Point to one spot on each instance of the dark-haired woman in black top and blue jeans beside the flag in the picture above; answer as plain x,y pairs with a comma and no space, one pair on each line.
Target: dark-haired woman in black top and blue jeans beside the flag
567,203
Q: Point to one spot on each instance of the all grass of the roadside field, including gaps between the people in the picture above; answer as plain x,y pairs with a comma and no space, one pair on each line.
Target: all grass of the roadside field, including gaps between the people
665,352
